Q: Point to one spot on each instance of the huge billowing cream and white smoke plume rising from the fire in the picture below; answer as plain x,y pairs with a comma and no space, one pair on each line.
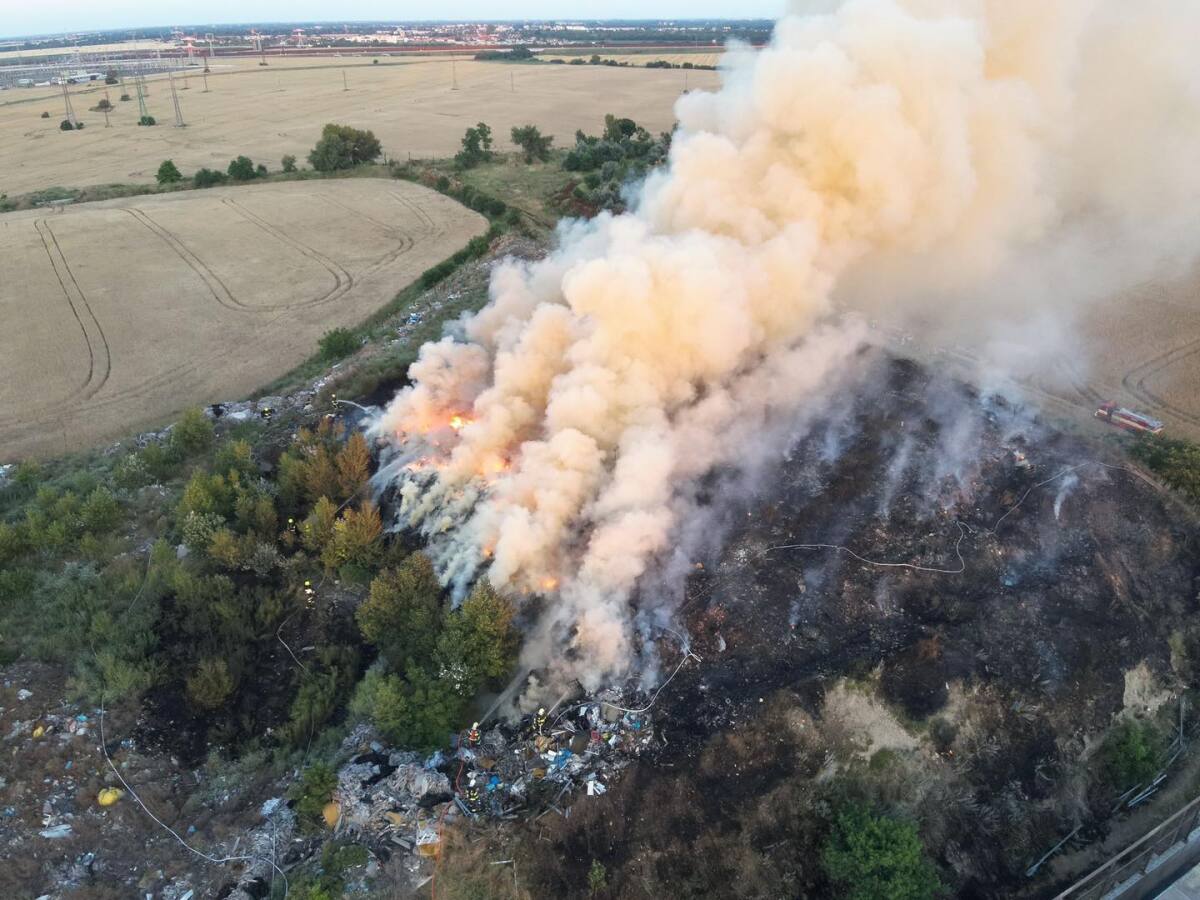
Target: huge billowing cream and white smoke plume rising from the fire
983,167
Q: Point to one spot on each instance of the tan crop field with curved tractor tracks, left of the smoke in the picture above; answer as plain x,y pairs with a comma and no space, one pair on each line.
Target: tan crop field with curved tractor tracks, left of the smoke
128,311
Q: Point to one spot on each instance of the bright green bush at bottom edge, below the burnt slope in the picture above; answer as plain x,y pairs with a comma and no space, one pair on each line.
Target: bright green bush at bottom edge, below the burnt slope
873,857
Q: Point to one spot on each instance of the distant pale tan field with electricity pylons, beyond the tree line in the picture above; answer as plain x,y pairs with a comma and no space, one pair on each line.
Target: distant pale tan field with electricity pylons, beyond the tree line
266,113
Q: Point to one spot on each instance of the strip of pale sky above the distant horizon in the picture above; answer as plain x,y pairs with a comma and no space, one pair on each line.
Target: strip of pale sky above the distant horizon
33,17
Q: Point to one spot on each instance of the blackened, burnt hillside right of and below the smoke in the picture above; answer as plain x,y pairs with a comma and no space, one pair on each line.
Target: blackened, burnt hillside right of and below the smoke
970,699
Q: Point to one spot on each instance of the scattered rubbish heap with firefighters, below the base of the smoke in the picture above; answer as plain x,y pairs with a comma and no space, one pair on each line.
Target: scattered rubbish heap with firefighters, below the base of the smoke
539,765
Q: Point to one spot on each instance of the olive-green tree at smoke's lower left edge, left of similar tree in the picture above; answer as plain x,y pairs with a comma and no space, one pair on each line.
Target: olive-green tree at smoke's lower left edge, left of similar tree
401,615
